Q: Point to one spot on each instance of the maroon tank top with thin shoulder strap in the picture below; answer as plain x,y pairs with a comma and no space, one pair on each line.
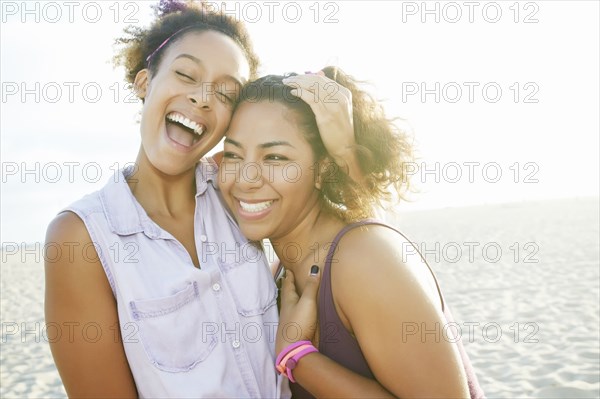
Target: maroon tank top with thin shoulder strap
336,342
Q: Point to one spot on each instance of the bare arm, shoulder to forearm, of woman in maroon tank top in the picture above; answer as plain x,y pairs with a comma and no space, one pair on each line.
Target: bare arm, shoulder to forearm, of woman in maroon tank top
383,299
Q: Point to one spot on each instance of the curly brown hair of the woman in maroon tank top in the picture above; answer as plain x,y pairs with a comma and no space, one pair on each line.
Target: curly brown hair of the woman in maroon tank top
382,148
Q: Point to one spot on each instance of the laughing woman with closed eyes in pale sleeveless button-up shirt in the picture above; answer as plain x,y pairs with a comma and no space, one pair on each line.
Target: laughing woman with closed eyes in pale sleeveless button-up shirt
154,290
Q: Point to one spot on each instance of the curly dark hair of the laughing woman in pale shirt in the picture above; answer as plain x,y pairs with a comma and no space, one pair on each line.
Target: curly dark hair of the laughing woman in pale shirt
173,19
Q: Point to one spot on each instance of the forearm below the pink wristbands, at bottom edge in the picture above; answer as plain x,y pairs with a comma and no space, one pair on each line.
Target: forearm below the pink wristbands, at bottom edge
323,377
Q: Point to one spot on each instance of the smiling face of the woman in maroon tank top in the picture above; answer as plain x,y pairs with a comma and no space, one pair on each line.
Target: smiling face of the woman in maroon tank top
267,174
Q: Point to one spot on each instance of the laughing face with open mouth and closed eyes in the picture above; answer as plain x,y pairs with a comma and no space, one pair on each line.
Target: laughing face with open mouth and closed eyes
188,103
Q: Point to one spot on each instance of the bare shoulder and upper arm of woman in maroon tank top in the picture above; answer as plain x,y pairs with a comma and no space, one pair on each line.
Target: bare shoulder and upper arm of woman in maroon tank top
379,288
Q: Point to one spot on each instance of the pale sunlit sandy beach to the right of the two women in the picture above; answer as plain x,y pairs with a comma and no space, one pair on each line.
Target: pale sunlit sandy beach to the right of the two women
529,316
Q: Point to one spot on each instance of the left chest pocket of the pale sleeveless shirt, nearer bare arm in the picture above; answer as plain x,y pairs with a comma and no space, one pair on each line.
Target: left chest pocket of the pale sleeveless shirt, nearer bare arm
168,328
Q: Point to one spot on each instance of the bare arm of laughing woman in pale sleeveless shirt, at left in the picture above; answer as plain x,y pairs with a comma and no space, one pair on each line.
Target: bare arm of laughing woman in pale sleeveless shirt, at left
80,306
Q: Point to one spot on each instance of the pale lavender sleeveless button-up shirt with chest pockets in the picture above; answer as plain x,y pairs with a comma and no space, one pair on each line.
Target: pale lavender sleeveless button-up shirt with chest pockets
187,332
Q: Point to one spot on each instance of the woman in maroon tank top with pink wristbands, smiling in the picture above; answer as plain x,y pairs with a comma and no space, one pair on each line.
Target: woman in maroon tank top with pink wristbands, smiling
377,318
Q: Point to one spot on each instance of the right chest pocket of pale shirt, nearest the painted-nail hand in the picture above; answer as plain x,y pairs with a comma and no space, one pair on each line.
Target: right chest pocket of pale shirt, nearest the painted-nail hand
251,283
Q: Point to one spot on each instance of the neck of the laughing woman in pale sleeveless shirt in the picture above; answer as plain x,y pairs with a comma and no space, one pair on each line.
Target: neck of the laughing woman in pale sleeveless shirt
161,194
